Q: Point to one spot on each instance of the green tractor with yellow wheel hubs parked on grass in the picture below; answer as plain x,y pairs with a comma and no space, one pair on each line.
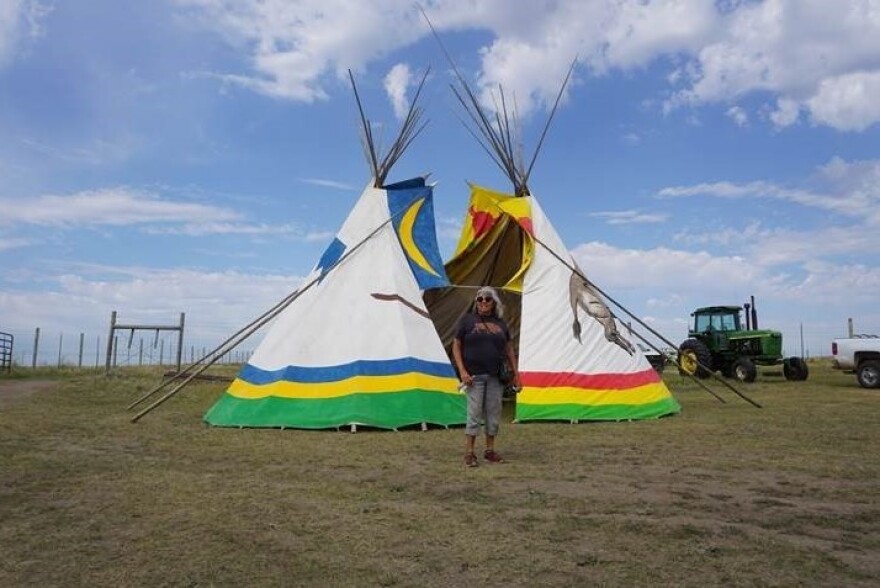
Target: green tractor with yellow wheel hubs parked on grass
717,341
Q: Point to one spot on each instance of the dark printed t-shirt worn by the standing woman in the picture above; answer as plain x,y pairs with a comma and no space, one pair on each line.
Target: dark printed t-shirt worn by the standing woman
483,343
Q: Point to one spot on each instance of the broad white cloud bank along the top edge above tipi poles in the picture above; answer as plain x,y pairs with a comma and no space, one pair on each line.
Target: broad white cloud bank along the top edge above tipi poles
812,58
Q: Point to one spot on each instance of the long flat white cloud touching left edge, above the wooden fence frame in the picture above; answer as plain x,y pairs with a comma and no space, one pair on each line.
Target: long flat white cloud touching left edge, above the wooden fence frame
116,206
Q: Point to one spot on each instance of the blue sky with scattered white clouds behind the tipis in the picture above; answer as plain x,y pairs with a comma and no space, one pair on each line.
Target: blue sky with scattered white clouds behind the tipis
198,155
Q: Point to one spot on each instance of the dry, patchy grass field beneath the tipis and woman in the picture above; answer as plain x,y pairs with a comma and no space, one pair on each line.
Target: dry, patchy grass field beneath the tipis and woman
724,494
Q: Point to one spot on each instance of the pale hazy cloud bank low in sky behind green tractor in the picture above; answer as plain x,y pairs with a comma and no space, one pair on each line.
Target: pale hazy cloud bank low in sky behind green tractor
670,283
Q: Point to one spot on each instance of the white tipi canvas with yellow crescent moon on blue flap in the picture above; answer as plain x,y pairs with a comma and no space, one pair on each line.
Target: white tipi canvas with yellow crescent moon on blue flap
357,347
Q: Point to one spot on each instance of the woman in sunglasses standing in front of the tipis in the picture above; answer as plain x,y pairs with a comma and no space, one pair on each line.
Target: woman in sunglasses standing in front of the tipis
482,343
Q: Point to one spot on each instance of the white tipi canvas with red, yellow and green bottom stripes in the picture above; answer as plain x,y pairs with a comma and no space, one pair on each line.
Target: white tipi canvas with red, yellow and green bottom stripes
574,362
